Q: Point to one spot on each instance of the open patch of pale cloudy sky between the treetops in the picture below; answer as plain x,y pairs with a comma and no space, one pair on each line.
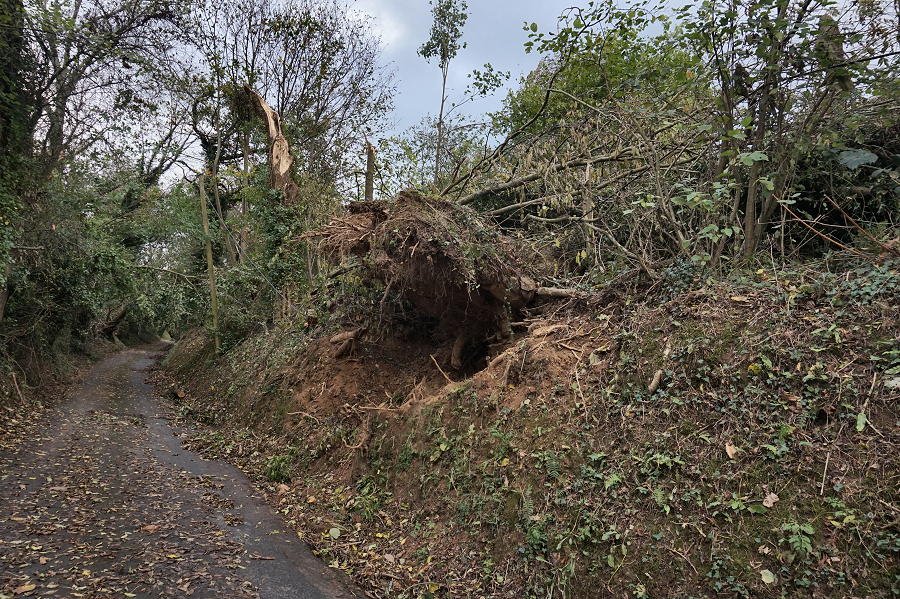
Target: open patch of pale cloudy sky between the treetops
493,34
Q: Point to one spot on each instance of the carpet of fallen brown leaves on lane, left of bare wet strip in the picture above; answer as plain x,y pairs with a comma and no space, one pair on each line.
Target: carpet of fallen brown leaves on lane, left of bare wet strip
88,513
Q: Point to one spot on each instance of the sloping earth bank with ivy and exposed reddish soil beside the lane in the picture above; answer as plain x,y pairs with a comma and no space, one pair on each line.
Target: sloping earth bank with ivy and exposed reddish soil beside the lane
687,439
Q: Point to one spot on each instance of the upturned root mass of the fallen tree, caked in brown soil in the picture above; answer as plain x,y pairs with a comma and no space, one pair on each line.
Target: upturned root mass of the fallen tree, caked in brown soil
445,259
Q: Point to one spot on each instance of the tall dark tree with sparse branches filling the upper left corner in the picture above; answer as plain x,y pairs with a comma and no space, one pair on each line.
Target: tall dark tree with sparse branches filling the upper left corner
67,70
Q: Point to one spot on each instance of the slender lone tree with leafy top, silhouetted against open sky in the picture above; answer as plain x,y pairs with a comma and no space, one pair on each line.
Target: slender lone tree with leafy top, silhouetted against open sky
446,30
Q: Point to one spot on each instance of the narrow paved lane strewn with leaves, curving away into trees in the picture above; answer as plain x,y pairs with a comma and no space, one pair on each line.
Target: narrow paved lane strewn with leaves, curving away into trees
101,501
